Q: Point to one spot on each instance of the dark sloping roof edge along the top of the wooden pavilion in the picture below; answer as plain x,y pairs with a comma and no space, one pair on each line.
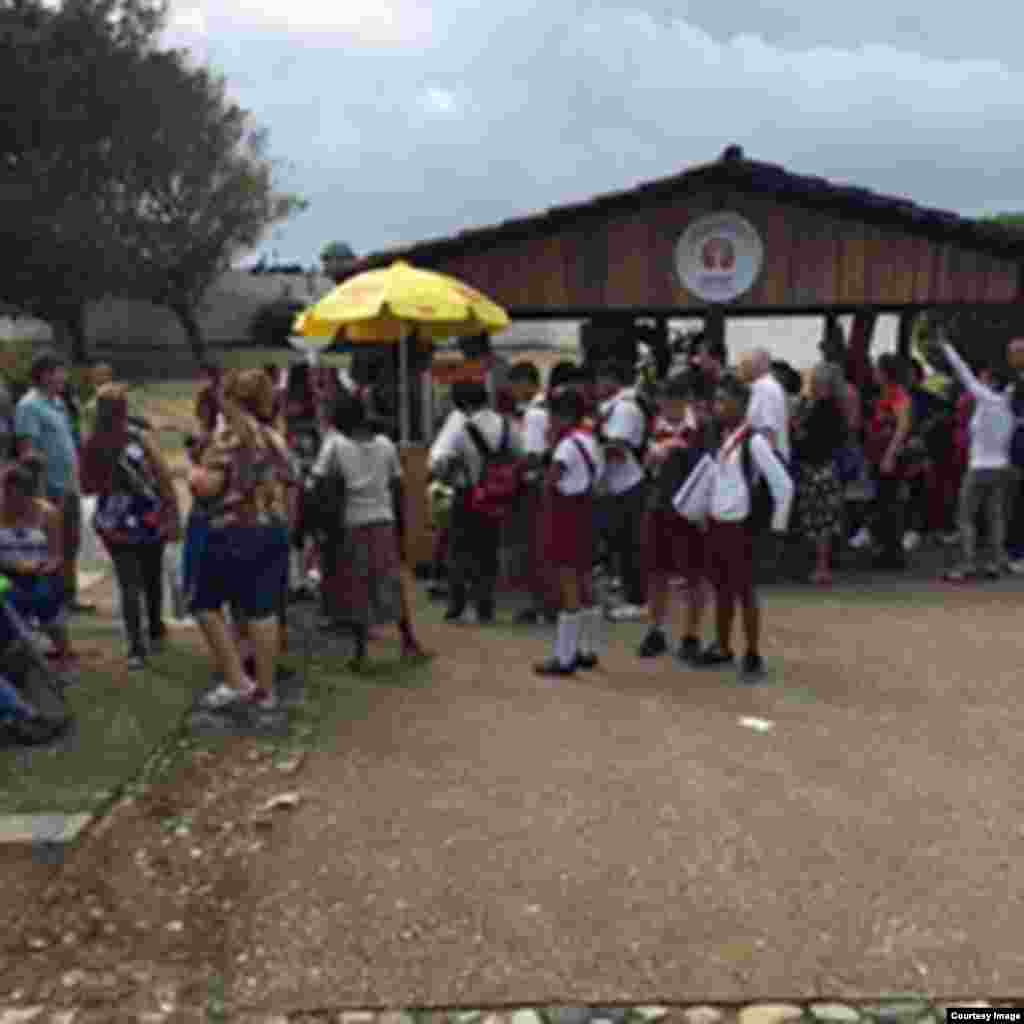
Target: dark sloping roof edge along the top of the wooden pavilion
734,170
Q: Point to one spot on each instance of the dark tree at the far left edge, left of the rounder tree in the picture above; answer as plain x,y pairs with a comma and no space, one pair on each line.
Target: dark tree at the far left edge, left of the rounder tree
65,116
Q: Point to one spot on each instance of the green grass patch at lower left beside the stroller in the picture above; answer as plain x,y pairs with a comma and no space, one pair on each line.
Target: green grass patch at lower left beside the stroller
121,719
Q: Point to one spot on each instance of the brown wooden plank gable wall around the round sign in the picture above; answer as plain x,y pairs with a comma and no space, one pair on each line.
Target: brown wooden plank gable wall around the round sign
627,260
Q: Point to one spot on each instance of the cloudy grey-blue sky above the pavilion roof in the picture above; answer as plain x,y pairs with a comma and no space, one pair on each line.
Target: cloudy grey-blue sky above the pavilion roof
406,119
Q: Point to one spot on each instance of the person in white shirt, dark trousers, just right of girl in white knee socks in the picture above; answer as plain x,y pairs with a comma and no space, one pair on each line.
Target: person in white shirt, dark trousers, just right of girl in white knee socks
624,433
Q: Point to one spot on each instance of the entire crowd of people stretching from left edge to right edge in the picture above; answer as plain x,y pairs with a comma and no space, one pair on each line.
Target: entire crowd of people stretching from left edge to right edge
596,481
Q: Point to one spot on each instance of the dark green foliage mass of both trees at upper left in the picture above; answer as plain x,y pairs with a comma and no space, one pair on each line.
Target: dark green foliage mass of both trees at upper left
134,174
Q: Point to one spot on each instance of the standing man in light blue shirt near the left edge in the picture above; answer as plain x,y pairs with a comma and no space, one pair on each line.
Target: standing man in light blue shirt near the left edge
42,429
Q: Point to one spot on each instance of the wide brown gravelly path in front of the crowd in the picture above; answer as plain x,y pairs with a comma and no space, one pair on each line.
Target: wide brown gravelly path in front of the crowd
496,838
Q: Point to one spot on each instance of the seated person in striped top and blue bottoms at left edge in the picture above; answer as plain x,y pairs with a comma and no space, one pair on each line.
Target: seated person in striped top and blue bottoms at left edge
31,558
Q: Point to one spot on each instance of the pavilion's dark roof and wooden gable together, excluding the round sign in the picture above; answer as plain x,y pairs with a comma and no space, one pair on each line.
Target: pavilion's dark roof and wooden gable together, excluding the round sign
827,248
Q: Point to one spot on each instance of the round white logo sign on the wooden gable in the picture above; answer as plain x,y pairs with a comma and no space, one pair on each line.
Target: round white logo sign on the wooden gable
719,258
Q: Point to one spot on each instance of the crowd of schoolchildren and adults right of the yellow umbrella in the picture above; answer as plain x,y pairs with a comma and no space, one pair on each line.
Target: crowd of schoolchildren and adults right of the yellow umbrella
643,486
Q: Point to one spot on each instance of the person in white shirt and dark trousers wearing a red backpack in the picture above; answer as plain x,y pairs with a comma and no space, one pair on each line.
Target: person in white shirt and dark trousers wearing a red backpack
474,540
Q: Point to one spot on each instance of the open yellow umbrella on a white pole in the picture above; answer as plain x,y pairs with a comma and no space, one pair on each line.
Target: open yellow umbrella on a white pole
391,305
